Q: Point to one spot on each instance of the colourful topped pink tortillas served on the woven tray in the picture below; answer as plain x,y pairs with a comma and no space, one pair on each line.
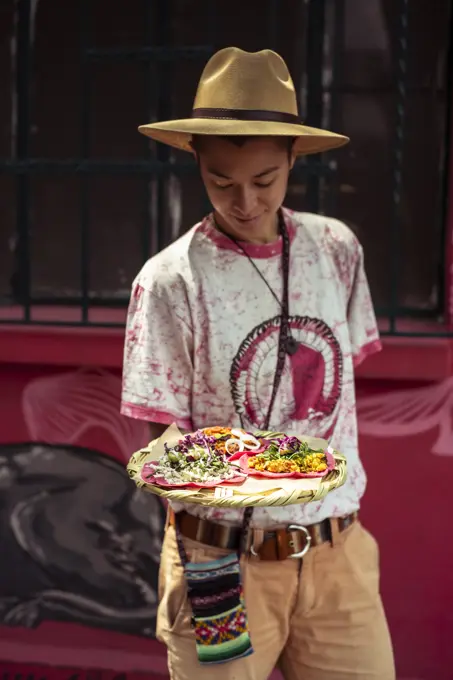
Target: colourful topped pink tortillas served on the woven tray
216,456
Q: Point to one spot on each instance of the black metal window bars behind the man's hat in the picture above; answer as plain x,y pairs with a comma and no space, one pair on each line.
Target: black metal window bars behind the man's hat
314,171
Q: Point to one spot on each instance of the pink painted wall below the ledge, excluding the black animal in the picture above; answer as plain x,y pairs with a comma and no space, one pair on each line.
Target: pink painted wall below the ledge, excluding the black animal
407,449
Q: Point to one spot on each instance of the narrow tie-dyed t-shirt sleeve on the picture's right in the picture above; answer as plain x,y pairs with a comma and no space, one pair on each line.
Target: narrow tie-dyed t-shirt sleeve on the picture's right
363,329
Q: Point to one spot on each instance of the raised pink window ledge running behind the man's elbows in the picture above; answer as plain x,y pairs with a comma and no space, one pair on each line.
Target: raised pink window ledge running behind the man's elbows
403,358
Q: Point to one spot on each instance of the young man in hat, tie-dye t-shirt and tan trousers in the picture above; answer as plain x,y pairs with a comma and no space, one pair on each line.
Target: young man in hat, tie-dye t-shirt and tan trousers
252,291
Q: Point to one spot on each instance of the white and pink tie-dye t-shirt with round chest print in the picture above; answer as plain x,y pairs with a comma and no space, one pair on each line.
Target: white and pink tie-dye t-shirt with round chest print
202,337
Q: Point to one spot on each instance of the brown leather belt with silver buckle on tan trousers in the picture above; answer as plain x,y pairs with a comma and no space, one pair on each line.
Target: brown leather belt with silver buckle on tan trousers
281,544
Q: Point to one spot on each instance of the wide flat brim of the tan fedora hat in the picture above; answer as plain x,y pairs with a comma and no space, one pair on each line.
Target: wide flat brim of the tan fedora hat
178,133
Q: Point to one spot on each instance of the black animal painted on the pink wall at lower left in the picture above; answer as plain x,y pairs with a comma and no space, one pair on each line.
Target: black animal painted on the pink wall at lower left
82,544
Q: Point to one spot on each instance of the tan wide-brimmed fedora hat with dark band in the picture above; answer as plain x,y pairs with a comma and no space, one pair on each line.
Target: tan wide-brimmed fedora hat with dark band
244,93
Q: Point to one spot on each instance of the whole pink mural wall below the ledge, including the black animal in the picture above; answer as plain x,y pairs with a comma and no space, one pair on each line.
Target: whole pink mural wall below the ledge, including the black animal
79,586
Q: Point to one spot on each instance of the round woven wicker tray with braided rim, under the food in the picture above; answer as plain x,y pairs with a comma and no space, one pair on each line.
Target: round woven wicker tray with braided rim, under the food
255,492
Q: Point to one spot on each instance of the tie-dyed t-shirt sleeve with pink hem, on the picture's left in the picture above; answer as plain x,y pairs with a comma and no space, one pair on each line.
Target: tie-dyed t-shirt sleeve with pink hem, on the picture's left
158,367
